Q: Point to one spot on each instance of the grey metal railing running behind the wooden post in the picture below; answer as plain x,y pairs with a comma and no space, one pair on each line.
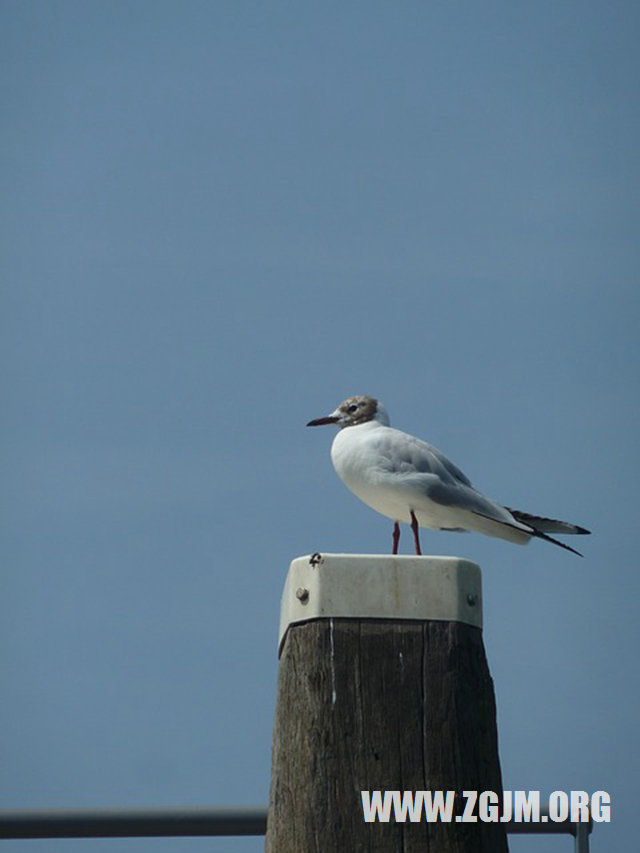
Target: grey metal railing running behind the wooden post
200,821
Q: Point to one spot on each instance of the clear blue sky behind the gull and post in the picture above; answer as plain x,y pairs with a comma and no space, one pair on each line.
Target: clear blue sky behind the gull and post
220,219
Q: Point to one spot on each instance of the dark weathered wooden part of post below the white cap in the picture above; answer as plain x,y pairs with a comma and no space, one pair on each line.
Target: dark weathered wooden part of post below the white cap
380,705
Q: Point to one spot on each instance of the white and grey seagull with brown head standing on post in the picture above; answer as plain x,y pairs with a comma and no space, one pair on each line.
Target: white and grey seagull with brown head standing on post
411,481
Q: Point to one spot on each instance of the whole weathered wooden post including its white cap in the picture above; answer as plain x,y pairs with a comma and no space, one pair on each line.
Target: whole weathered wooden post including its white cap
383,686
